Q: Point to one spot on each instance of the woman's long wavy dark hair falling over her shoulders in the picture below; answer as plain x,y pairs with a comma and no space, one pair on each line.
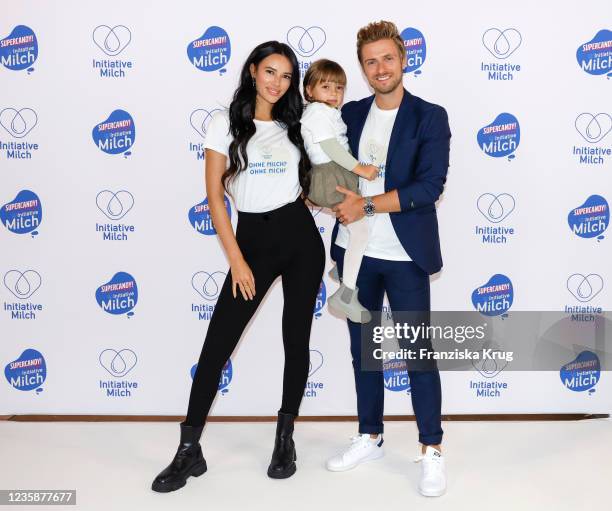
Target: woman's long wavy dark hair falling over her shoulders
287,110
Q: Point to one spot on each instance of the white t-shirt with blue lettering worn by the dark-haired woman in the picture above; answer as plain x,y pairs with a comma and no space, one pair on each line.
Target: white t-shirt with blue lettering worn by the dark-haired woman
272,178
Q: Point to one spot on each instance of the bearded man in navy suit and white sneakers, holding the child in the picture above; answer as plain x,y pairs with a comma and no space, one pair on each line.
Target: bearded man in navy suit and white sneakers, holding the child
409,139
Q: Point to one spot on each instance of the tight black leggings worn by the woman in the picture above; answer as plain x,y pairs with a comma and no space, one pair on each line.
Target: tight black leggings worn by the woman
285,242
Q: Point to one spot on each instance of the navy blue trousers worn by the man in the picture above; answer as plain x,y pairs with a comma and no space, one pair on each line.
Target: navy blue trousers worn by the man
407,288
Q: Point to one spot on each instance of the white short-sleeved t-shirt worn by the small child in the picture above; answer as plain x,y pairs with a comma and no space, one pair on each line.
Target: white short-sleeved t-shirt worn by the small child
322,122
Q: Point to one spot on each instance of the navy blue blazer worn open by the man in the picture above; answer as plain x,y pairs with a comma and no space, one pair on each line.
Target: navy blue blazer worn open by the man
417,163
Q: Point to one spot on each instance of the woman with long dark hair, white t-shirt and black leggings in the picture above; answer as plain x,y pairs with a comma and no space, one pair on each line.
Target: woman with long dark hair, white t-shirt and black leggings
256,153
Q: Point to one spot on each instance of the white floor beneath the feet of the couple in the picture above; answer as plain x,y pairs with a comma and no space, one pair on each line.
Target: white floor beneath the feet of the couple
490,465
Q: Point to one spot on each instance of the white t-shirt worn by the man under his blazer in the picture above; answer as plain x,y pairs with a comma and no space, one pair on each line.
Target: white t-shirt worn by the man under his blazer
383,242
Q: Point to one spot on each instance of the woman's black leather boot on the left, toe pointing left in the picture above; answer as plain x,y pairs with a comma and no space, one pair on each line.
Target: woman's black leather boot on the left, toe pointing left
188,461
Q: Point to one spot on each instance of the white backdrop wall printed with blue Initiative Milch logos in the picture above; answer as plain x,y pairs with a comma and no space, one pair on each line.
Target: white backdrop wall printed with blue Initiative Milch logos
51,273
